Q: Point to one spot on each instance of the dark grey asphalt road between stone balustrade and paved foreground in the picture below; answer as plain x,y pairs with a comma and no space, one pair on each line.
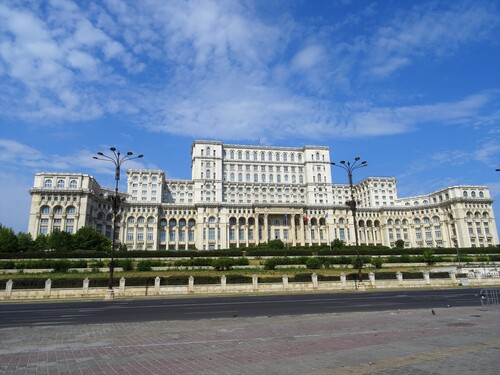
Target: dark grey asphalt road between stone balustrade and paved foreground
194,308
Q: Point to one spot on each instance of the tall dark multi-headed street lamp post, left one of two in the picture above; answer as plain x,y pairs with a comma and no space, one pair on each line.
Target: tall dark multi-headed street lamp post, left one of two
117,159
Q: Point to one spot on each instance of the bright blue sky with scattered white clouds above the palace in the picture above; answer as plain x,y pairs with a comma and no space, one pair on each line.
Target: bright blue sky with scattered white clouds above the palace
413,87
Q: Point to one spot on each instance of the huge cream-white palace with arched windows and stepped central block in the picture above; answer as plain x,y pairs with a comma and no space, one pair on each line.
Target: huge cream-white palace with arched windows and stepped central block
241,196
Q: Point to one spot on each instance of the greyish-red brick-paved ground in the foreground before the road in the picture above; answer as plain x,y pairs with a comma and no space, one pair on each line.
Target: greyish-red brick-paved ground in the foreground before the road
453,341
